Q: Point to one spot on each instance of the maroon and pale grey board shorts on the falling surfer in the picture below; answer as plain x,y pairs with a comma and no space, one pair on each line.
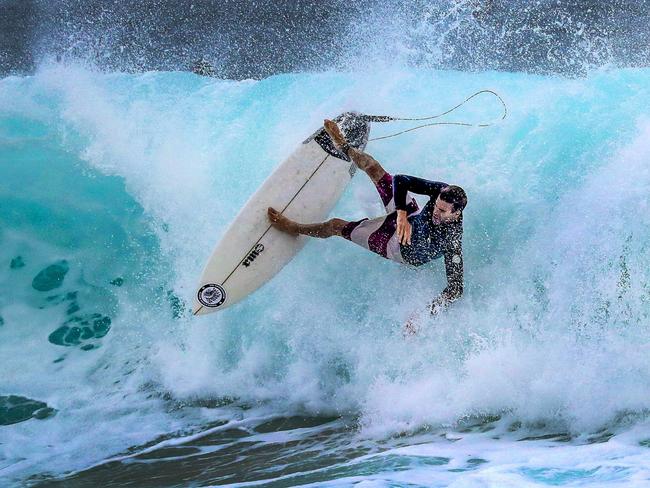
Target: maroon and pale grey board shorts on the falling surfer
379,235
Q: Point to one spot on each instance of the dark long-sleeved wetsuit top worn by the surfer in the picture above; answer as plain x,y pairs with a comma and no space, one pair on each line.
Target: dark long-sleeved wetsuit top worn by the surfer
428,240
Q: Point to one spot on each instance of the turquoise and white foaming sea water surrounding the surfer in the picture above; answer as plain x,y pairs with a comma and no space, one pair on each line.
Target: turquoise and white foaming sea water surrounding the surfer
115,188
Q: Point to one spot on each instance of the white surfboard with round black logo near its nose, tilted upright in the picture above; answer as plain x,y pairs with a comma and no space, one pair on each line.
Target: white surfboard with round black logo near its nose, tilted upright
305,187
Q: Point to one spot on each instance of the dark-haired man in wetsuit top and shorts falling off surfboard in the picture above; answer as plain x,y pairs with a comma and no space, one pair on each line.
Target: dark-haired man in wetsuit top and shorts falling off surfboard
406,234
